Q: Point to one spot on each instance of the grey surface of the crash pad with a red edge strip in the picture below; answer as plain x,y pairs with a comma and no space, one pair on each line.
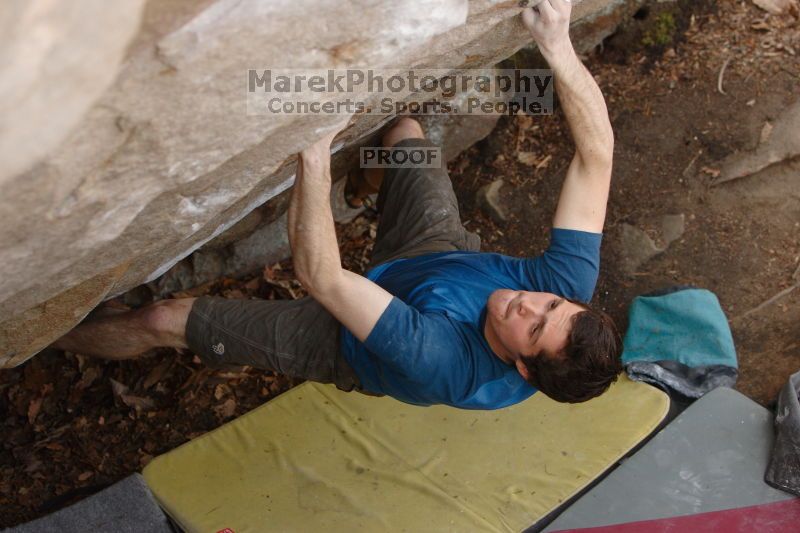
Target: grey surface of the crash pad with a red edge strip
711,458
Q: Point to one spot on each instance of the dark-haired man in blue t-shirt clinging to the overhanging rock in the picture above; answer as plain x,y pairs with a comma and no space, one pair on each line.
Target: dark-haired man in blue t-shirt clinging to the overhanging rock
434,321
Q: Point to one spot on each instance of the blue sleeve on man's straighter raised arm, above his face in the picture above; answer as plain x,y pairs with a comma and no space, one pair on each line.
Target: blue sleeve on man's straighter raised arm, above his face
570,265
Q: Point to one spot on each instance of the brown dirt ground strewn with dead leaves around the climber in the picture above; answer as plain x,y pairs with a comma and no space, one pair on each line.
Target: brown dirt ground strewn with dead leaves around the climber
72,425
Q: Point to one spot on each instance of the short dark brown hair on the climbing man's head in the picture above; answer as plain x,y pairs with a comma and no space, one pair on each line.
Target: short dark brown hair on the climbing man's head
588,365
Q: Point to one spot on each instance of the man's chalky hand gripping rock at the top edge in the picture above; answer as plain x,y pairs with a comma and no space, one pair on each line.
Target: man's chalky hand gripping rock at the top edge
548,22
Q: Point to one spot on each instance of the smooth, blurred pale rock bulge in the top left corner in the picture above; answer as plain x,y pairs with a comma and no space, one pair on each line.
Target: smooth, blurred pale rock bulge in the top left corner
46,87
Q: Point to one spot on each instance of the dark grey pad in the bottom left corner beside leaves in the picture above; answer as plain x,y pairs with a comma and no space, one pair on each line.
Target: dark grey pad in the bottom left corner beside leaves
127,506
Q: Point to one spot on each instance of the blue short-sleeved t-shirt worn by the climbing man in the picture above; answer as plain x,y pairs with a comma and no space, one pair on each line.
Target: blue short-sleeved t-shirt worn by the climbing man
428,346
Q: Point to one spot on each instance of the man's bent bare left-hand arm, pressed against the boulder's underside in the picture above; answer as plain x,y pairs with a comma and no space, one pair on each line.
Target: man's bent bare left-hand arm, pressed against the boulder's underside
355,301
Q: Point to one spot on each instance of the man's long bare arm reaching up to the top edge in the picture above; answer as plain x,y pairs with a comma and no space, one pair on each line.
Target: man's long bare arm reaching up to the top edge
584,195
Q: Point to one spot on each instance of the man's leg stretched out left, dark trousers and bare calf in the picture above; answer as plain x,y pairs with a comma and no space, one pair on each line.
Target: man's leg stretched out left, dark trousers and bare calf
298,338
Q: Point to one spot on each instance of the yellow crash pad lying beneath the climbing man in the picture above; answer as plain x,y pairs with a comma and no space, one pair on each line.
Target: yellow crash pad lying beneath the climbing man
316,458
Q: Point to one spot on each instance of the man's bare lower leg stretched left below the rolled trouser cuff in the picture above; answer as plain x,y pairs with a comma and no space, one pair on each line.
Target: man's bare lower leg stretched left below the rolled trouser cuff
129,334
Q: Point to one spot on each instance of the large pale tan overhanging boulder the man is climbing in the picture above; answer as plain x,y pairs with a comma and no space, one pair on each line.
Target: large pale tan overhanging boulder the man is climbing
127,145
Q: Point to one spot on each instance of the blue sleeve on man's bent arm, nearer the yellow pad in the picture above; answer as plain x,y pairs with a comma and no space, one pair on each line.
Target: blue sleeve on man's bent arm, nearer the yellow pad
420,346
